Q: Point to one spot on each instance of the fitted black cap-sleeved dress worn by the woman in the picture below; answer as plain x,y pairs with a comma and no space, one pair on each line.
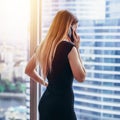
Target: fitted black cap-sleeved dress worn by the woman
57,102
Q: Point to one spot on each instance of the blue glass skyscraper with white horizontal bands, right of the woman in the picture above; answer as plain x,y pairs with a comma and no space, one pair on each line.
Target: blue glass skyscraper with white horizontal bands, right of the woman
99,97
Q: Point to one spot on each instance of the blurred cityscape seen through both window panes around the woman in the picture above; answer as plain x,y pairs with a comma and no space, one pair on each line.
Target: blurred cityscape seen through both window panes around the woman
98,98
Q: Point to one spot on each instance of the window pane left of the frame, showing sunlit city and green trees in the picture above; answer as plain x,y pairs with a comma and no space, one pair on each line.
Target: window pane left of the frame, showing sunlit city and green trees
14,38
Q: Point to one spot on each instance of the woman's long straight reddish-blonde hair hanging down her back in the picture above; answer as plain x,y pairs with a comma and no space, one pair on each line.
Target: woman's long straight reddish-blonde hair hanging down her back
56,33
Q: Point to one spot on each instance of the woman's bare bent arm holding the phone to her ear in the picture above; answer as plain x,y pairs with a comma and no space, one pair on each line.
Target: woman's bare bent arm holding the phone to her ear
75,61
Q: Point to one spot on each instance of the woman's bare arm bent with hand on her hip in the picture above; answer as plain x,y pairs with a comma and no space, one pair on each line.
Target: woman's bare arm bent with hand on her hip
30,70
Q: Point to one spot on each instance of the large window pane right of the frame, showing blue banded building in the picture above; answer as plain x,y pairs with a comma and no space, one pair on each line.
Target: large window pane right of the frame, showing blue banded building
99,29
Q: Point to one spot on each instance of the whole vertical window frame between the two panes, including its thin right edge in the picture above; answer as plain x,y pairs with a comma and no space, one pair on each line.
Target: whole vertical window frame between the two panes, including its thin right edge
35,38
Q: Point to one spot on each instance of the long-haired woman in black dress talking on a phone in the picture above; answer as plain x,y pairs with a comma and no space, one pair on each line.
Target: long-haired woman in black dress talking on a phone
59,61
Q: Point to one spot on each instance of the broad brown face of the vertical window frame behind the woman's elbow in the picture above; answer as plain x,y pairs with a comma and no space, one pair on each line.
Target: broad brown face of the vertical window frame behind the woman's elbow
33,43
